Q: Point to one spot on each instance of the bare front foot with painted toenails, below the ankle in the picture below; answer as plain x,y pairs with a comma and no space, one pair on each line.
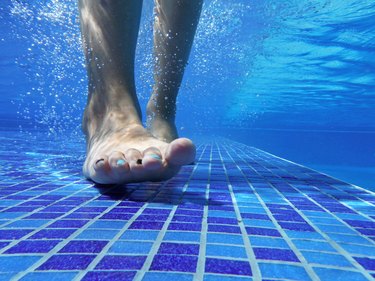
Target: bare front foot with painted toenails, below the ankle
129,153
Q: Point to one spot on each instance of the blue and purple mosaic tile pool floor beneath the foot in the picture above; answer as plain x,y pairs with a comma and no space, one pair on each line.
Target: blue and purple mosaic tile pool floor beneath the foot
238,214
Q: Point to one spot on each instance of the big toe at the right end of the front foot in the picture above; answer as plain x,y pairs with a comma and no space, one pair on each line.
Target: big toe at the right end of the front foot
180,152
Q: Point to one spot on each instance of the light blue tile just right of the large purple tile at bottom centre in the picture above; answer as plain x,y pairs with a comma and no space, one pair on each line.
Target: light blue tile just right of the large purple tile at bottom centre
283,271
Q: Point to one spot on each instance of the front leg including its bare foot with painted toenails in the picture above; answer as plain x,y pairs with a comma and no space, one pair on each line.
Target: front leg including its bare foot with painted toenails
119,149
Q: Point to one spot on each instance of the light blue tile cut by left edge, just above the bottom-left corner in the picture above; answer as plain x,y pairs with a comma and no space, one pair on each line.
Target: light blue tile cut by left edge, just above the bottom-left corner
17,263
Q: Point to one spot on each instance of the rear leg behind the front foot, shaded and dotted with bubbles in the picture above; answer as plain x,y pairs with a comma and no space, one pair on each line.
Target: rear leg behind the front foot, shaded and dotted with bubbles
174,29
